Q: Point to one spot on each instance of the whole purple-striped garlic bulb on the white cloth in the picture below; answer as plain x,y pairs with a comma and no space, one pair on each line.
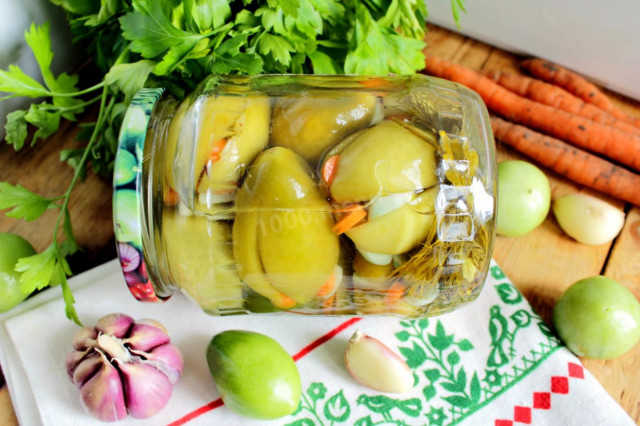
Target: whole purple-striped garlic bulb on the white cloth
123,367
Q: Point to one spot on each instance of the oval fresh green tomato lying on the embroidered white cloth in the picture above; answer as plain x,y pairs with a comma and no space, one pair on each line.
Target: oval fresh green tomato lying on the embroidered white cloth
254,375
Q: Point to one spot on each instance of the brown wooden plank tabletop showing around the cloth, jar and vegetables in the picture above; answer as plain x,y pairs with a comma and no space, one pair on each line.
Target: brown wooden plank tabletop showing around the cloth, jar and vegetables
542,264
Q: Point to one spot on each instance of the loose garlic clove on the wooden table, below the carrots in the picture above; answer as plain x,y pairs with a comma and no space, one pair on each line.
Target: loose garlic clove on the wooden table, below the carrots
588,219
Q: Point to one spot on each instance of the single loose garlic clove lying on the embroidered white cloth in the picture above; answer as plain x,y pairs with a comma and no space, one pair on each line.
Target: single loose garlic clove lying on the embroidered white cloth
375,365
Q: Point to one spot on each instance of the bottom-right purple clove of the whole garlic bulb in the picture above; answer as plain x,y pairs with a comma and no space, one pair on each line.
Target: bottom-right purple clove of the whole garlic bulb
147,389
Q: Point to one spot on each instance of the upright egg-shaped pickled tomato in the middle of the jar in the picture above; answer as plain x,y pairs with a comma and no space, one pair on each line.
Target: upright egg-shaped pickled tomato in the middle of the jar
282,234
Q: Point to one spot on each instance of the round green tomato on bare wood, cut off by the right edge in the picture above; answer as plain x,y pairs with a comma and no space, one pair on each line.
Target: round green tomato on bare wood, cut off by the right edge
598,318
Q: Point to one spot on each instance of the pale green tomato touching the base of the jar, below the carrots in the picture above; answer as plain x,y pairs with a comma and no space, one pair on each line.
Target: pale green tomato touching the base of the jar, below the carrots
524,197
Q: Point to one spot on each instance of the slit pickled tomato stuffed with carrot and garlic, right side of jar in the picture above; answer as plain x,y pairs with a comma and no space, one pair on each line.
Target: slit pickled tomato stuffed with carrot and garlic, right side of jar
391,171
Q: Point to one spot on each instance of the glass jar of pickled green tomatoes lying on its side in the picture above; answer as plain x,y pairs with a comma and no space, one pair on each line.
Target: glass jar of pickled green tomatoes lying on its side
327,195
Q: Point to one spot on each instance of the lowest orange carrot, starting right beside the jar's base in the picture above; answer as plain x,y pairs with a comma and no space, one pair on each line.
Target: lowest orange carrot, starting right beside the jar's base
573,163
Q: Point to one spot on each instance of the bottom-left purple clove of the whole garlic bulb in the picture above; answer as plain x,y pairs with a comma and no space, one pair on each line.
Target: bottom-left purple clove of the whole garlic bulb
102,394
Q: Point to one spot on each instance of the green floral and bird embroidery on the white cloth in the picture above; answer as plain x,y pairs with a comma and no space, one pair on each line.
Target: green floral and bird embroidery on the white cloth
446,369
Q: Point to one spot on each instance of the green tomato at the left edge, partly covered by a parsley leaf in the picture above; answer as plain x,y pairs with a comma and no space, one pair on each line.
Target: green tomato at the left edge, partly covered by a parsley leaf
12,248
